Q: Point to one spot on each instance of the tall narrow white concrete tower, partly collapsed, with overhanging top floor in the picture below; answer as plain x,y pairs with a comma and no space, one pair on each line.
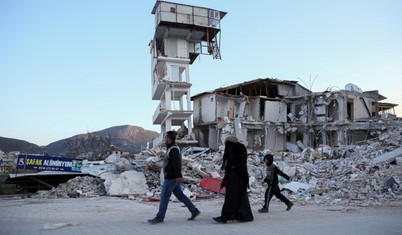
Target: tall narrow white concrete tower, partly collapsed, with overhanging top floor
182,33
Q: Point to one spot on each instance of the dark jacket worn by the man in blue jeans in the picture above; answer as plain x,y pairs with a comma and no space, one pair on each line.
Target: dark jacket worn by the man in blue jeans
172,162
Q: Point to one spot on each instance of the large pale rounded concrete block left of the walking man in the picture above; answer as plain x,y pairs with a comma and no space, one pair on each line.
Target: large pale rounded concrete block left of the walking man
129,183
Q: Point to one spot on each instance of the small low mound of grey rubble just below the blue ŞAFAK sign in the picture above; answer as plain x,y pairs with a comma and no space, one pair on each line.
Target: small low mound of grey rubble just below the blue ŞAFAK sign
85,186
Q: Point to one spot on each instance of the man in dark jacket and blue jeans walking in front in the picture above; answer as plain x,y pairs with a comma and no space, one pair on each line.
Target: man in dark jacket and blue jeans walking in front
172,182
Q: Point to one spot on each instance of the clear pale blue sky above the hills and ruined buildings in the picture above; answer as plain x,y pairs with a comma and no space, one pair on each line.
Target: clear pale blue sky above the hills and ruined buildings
68,66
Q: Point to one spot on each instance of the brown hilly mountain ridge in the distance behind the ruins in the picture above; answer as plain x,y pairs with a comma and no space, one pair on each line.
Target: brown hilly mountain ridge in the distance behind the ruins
126,138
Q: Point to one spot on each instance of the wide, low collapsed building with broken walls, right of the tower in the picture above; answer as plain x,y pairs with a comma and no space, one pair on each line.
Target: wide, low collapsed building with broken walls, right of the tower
283,115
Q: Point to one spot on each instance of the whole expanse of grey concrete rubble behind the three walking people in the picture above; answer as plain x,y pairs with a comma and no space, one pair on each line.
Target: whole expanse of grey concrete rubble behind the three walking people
353,174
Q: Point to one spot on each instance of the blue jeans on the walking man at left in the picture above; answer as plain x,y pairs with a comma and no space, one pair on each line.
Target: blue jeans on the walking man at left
171,186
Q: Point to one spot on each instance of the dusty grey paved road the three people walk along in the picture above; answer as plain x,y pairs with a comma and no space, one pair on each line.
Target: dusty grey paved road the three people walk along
107,215
